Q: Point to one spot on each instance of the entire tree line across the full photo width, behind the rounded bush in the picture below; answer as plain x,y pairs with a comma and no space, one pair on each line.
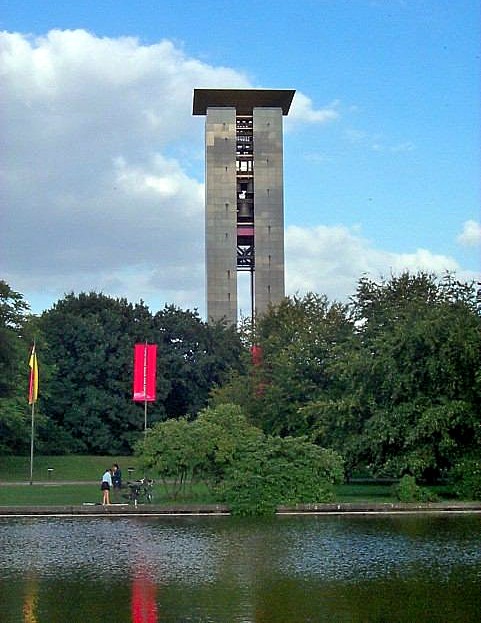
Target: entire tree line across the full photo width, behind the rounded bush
391,380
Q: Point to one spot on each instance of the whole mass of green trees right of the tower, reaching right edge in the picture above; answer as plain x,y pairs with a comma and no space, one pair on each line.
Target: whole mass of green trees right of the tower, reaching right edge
392,380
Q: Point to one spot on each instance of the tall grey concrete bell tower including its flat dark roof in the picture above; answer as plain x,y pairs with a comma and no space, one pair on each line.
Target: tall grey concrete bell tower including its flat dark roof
244,215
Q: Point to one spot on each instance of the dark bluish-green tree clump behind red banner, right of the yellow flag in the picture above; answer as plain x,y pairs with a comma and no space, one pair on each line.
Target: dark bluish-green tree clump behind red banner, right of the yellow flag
90,350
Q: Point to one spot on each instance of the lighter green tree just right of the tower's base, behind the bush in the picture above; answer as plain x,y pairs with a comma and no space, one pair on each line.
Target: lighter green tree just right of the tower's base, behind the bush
299,340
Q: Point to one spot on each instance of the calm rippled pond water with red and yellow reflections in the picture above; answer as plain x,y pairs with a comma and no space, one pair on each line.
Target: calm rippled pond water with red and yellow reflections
225,570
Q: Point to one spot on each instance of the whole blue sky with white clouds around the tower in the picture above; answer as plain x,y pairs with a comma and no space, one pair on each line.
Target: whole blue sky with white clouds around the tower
103,167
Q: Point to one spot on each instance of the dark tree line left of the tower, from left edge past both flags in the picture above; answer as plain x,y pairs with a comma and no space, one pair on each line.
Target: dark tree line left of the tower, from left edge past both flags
85,350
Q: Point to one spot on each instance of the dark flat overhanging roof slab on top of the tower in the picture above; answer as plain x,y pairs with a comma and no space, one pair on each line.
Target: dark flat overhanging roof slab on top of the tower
243,100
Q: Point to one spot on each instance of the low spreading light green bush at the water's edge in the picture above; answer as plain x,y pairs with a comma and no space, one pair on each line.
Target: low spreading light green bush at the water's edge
252,472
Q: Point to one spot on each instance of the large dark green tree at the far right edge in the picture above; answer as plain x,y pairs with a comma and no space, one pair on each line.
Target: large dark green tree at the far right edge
414,375
